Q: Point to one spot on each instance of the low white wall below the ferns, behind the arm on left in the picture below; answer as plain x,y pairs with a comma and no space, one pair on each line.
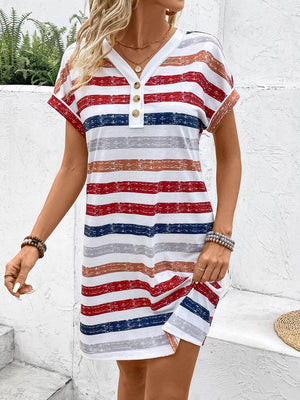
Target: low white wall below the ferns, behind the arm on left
32,144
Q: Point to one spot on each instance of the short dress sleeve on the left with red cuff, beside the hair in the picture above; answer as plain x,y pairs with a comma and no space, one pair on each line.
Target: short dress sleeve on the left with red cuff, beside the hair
66,106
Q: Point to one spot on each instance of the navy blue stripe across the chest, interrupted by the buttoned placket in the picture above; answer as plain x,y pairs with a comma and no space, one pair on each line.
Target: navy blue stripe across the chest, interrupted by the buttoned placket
167,118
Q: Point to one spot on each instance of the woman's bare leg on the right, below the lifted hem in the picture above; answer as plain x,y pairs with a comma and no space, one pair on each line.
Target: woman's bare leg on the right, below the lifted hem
169,378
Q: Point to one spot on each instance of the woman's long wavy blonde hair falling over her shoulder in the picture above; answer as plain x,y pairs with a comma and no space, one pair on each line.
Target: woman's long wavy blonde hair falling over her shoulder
106,18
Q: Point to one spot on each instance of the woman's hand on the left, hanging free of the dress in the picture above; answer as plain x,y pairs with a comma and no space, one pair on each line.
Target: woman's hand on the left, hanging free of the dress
19,267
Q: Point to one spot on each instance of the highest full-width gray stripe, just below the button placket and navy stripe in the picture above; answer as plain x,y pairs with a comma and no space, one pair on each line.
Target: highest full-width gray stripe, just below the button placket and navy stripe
122,142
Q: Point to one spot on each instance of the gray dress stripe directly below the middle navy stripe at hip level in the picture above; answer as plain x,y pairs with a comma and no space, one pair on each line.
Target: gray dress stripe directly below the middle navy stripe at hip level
148,251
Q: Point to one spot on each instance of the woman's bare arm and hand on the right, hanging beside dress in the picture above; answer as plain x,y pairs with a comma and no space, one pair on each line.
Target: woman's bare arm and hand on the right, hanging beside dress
214,258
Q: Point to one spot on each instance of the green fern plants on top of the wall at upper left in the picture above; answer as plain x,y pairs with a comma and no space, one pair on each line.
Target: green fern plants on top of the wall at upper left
32,60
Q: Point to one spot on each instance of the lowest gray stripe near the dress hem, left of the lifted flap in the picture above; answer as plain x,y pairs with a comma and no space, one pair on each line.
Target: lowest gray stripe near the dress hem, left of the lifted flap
135,344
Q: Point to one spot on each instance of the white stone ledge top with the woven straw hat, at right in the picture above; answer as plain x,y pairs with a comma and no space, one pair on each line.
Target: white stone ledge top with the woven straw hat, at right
247,318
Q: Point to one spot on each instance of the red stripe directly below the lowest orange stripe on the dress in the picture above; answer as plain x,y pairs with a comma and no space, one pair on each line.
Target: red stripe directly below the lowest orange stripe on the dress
157,290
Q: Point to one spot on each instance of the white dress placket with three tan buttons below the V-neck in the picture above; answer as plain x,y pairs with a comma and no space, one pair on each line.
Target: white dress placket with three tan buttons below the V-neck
136,106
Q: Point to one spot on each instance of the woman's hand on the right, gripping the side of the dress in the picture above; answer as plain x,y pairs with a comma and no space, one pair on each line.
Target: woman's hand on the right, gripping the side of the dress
214,260
